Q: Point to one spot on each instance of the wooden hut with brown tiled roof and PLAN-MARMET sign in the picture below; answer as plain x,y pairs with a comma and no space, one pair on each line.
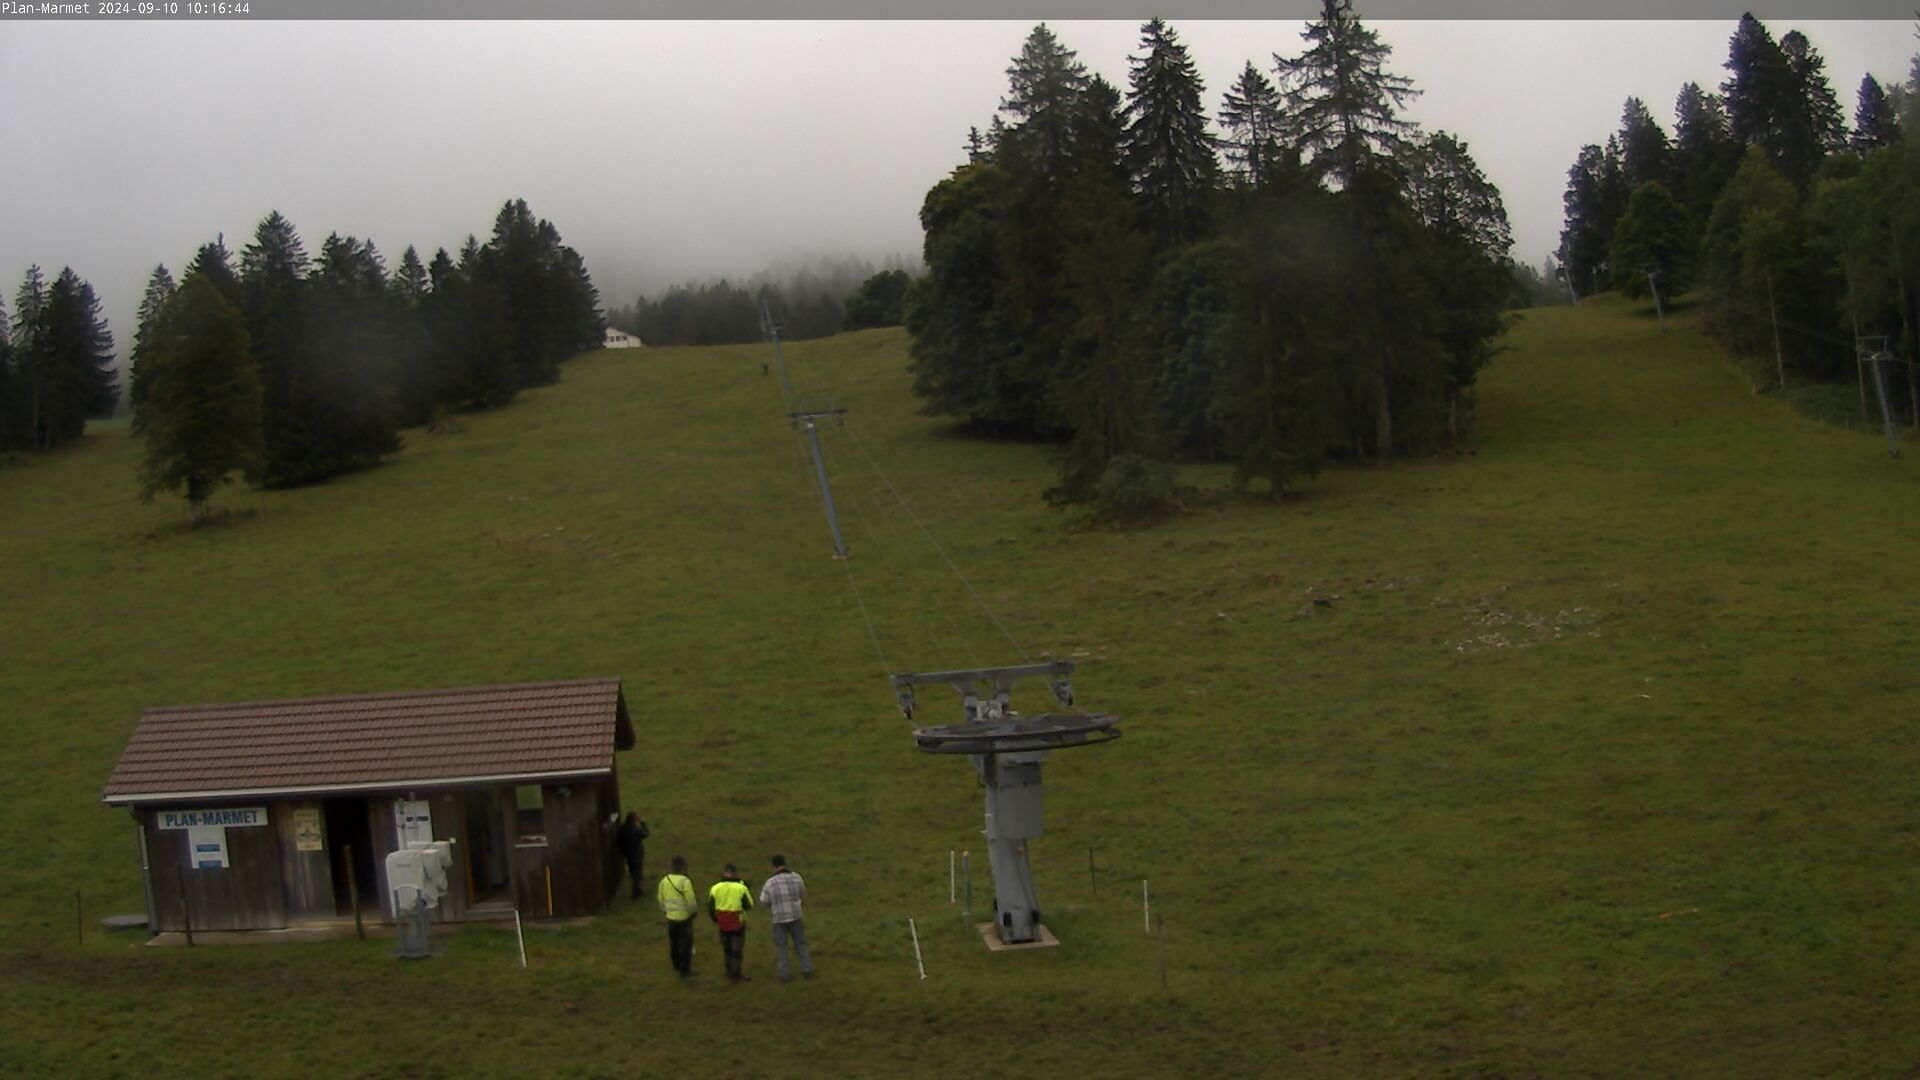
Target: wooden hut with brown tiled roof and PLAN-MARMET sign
266,816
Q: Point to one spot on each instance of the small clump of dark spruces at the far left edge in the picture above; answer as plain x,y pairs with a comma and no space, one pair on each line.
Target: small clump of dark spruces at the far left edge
57,362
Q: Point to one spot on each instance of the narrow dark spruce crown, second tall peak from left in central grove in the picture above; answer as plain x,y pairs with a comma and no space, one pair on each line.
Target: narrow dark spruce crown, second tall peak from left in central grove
1168,149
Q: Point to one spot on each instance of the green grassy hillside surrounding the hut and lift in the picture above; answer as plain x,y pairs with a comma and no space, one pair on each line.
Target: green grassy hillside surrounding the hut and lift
1600,764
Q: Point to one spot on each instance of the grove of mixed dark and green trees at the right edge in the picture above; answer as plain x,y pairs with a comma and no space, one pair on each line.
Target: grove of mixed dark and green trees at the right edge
1800,235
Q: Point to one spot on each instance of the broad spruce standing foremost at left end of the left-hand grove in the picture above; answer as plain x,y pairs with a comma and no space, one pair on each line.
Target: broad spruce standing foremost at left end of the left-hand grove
203,406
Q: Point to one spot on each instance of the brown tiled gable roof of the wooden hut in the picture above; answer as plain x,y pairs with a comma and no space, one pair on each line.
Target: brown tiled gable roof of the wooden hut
373,741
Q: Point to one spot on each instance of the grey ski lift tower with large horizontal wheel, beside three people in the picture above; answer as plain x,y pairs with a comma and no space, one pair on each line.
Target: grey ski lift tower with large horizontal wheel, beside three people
1007,750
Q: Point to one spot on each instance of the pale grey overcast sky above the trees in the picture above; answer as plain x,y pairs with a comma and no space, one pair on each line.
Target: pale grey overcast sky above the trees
679,151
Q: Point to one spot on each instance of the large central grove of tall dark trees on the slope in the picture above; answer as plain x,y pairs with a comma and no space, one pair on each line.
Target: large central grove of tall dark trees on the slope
1316,278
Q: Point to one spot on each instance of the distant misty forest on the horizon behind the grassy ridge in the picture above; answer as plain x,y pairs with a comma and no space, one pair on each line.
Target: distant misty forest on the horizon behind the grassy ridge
811,303
